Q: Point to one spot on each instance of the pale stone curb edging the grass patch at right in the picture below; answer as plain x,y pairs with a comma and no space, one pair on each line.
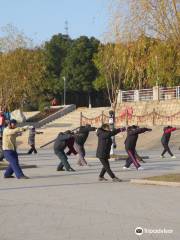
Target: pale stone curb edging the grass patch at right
150,182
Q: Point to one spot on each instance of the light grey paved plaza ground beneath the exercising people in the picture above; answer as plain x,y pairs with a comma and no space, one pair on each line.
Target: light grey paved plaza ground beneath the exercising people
75,206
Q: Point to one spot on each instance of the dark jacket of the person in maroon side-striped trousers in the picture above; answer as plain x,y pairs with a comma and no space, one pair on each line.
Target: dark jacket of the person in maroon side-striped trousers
132,137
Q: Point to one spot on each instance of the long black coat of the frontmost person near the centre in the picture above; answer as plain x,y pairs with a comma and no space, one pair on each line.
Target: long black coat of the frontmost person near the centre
105,142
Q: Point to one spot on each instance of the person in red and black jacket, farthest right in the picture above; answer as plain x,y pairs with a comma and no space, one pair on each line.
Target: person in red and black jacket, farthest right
165,140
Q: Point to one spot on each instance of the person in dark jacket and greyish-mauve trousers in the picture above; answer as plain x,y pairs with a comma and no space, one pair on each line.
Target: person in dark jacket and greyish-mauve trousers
80,139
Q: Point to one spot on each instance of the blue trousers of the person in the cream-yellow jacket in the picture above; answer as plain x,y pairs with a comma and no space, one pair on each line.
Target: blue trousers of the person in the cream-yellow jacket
13,167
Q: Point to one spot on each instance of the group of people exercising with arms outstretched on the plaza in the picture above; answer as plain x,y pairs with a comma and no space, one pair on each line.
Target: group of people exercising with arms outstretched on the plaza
75,141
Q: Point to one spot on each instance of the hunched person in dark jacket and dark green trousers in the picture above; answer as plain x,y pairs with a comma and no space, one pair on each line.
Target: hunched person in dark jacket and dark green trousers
59,146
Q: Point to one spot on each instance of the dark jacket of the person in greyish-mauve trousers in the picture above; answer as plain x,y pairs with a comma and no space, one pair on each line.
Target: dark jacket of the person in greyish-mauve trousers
83,133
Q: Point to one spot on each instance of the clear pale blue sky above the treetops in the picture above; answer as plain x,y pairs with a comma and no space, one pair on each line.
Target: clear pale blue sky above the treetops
40,19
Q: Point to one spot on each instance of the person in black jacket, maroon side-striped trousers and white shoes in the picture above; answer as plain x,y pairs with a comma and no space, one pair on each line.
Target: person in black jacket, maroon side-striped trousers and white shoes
130,145
